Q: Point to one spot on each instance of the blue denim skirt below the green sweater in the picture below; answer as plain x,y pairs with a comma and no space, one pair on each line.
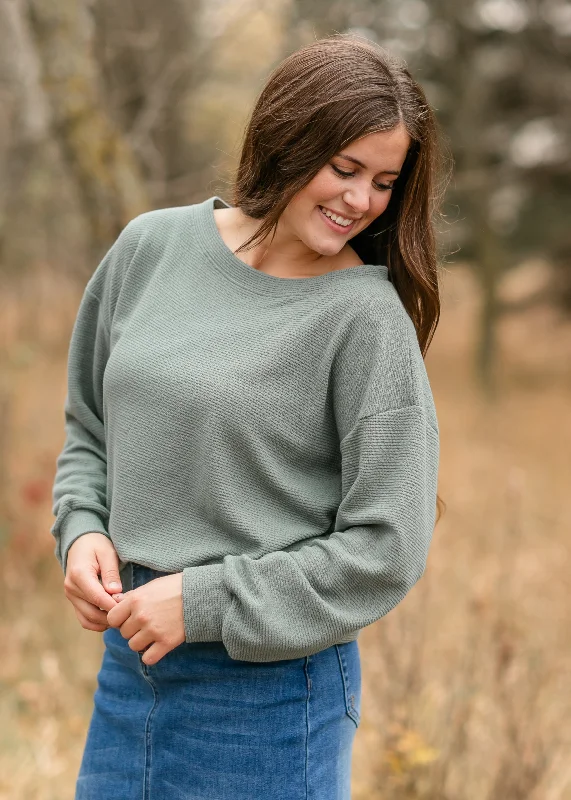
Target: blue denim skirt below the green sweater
200,725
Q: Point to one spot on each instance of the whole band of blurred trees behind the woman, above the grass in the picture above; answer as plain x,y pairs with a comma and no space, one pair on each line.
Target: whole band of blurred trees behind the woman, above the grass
143,99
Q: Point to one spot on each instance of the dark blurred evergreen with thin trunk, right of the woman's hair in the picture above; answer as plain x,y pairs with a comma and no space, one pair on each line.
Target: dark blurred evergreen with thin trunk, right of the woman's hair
497,71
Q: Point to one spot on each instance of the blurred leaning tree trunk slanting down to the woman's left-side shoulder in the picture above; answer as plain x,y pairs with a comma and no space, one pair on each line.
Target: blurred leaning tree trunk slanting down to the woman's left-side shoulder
109,182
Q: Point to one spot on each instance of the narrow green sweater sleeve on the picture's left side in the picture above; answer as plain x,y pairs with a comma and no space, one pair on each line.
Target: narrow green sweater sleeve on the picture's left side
80,484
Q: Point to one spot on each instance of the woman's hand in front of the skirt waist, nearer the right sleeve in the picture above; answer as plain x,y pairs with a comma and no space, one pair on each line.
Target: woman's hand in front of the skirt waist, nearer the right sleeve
151,616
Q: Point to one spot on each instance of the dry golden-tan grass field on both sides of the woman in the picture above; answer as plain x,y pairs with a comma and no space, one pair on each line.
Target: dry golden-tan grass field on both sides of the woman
463,684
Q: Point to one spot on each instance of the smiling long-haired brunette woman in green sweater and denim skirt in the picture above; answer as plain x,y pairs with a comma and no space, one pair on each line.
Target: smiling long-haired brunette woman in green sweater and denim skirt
252,446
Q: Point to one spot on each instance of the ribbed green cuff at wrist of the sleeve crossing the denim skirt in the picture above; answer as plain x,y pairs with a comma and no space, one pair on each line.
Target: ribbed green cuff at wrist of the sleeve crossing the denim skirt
205,601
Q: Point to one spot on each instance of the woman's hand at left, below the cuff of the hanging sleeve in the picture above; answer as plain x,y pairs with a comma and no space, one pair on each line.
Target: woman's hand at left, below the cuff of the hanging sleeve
91,555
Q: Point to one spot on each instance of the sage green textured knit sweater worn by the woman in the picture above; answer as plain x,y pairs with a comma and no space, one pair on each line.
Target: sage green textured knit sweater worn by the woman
273,439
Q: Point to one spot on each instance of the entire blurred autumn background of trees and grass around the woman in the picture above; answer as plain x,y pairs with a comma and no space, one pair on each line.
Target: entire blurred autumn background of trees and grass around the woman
109,109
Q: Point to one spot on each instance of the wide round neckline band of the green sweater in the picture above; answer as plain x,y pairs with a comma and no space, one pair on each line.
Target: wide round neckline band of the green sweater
226,261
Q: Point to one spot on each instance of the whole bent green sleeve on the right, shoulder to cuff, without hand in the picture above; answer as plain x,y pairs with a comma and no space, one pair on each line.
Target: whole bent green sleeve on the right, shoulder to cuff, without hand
297,601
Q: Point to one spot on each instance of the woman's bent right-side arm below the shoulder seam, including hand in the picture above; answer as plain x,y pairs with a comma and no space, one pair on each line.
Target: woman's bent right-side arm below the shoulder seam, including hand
292,603
